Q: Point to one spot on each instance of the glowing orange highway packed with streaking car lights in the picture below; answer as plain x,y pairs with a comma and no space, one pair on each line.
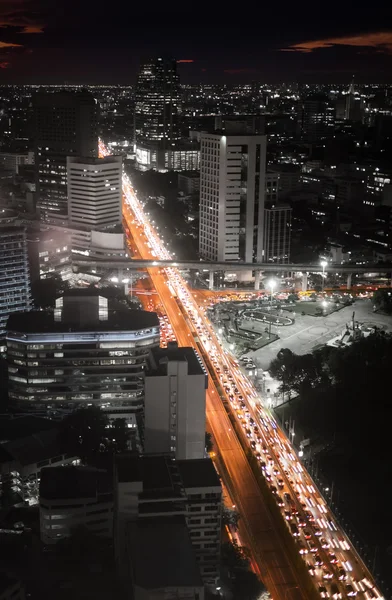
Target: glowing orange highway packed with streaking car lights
333,564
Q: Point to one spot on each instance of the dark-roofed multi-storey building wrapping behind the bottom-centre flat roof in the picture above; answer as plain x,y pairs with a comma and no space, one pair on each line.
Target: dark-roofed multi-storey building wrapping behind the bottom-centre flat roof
150,487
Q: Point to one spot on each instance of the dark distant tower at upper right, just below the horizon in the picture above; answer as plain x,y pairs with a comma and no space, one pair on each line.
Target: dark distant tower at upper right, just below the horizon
315,119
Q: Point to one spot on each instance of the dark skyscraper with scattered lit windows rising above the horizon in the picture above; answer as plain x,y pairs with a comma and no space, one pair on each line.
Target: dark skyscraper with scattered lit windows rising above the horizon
157,108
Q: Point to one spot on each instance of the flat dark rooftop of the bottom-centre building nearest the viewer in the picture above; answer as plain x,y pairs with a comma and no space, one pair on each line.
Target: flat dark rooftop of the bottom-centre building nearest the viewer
161,554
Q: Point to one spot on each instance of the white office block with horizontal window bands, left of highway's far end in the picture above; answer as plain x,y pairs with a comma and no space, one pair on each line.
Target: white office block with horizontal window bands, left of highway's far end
94,191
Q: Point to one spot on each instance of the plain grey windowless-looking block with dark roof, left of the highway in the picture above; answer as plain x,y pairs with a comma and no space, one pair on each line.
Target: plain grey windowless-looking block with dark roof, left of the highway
175,402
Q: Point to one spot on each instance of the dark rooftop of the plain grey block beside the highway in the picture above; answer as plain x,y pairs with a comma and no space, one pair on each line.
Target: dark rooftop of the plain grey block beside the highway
159,357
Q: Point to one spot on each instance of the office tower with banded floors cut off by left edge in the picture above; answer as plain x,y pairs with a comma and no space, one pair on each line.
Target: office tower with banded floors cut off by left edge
14,271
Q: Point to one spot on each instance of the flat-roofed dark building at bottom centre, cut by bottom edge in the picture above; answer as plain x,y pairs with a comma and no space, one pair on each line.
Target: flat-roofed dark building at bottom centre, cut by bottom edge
161,561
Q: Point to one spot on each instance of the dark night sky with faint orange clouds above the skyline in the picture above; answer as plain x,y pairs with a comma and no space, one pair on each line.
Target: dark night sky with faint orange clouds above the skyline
59,41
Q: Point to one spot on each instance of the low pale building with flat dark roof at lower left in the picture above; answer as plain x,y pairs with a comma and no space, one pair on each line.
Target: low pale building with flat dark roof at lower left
75,496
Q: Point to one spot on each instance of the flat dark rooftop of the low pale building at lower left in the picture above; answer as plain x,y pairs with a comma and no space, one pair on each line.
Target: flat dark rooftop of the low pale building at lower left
58,483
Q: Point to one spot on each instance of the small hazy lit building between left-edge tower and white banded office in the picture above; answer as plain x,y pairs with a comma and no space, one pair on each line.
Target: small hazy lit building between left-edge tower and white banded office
49,254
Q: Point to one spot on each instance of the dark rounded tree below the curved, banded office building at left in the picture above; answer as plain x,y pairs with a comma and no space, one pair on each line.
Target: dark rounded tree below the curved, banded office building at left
83,432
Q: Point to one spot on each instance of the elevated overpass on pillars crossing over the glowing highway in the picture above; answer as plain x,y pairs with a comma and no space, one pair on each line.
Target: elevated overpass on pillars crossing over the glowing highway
129,263
